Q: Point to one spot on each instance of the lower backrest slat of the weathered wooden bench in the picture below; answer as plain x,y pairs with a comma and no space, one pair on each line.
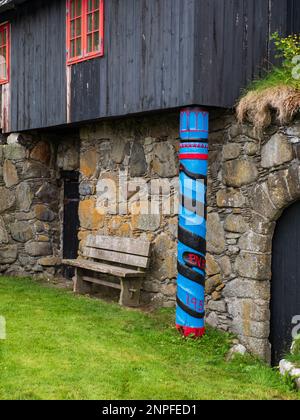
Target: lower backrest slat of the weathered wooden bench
116,257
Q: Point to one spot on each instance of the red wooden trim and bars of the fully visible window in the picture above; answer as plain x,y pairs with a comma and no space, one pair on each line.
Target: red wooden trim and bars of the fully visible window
85,56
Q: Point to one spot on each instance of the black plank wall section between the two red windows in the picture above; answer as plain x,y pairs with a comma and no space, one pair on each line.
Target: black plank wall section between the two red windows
38,62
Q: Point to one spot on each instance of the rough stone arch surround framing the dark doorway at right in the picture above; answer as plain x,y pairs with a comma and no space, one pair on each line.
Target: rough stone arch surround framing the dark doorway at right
270,198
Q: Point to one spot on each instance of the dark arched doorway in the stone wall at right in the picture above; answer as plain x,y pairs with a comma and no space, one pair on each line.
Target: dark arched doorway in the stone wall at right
285,288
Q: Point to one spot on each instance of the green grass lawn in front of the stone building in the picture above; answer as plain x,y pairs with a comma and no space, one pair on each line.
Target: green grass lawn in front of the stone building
64,347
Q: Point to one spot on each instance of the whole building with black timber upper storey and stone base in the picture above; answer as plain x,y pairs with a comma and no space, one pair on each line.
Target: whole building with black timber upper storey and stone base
90,93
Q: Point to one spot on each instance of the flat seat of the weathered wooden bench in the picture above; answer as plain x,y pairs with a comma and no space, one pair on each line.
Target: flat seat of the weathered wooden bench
104,268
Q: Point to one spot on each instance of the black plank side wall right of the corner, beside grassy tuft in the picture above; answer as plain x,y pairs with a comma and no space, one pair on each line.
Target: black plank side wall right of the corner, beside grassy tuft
233,44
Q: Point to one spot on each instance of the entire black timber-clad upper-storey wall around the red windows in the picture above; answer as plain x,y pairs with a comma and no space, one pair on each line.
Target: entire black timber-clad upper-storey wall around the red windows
159,54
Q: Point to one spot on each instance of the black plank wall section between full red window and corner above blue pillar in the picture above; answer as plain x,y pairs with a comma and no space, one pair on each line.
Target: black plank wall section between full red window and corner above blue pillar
147,63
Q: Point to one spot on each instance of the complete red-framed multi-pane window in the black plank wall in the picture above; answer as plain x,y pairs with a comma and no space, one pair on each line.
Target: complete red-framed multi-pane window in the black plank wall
85,30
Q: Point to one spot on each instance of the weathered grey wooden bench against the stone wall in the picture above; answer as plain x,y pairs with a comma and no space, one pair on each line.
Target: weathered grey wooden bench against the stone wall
124,258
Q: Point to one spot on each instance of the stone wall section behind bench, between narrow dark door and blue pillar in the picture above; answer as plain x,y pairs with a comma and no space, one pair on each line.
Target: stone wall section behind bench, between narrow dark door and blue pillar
141,152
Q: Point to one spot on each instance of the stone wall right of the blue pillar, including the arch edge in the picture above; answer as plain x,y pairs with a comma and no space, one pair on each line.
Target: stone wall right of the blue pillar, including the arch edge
252,179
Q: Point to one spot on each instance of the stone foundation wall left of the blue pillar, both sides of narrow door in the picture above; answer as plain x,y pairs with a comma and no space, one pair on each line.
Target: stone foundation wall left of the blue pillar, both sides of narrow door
137,155
